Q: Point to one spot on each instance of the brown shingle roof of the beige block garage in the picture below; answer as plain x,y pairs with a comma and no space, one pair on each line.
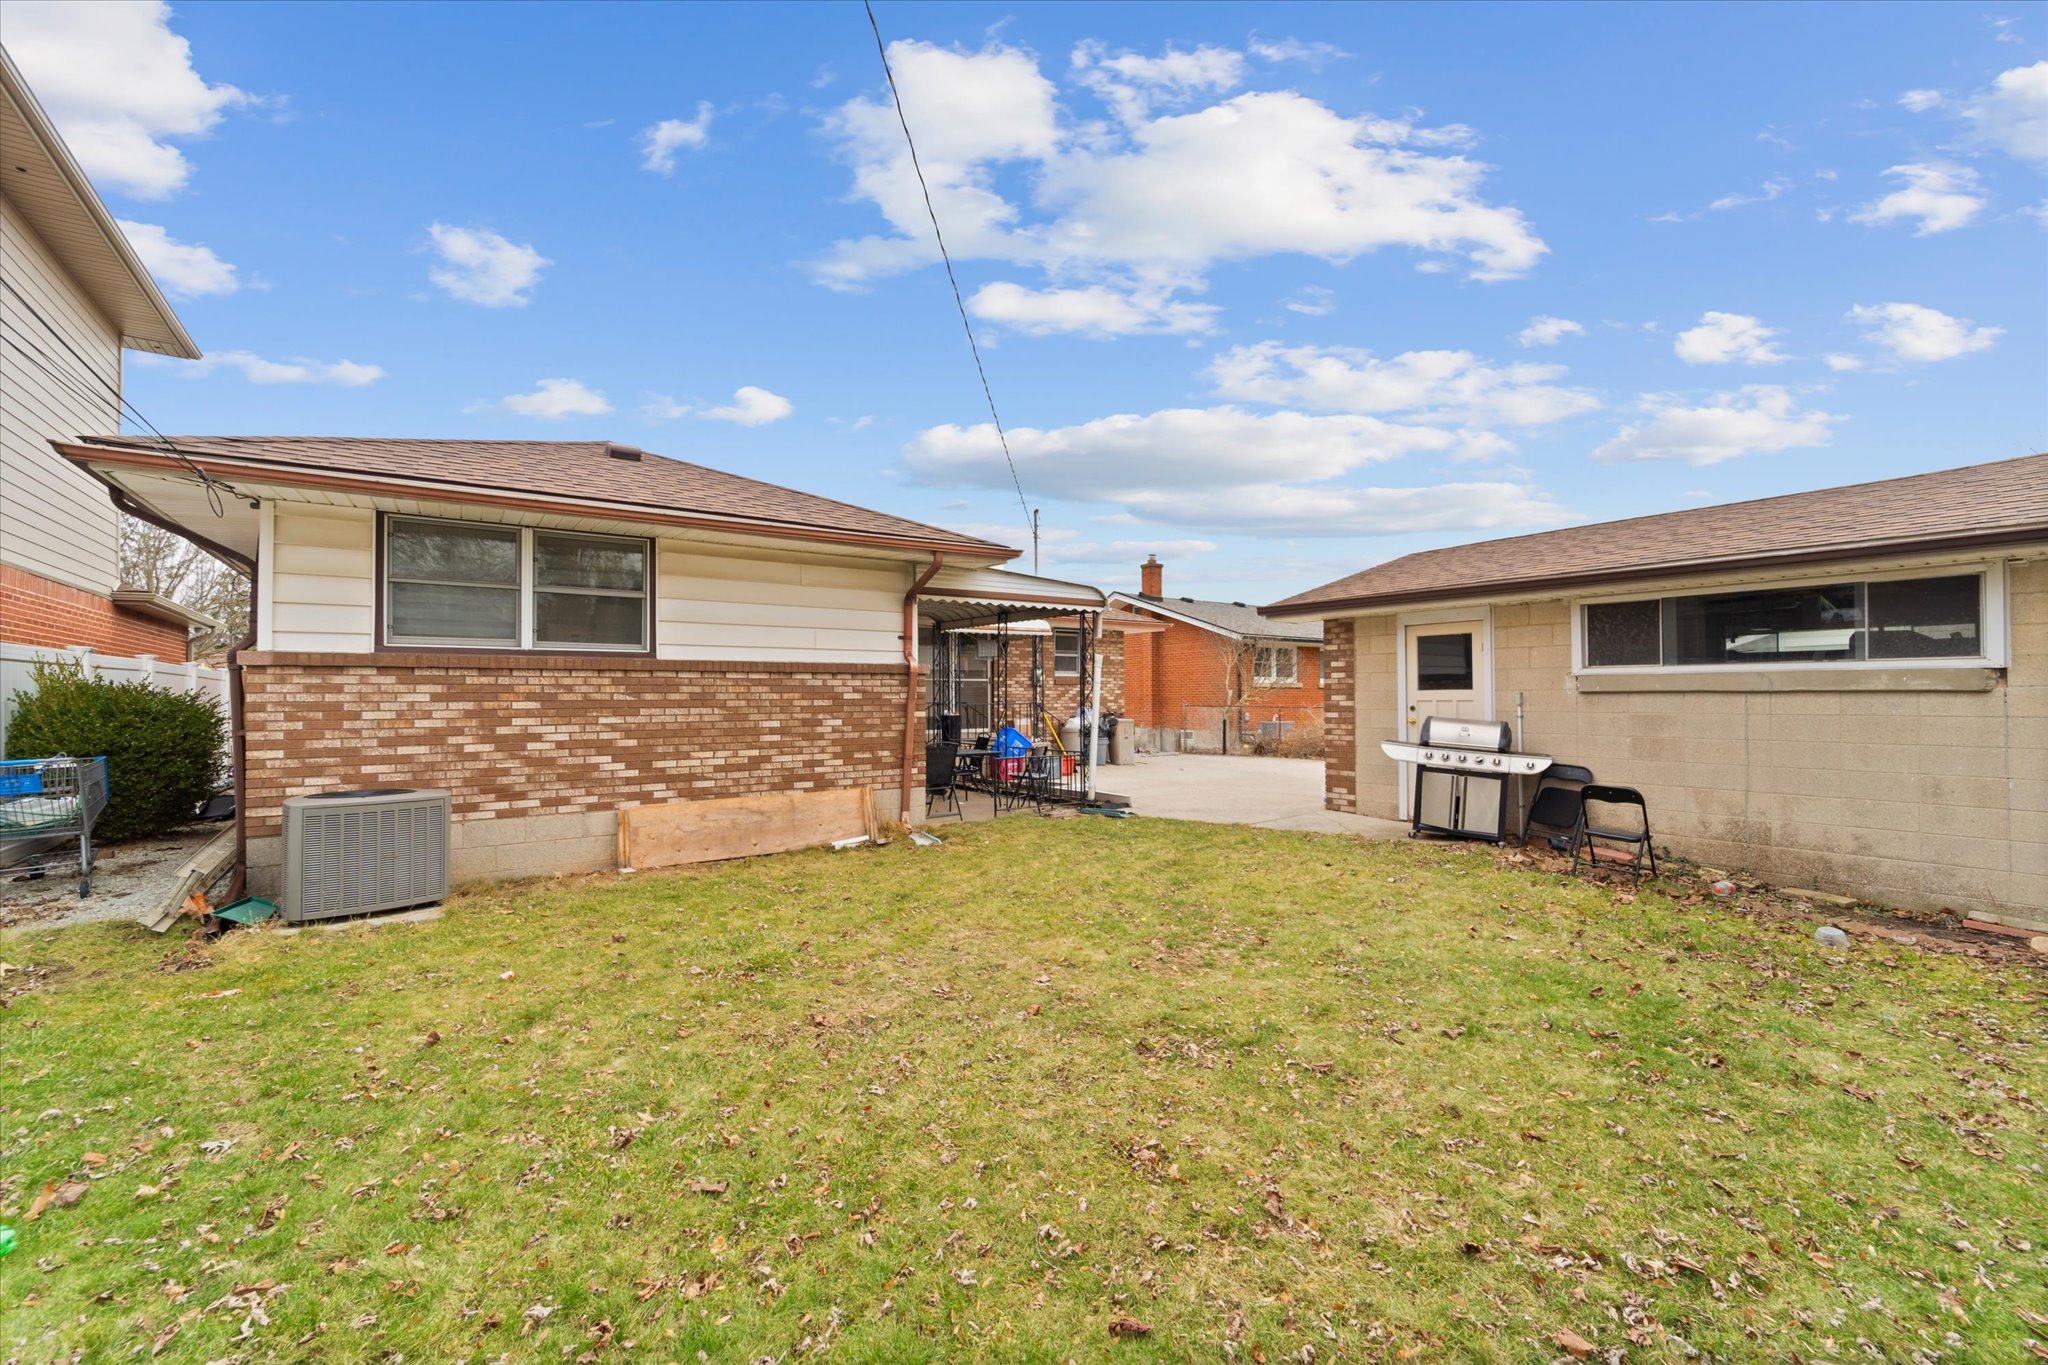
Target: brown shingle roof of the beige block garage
1981,504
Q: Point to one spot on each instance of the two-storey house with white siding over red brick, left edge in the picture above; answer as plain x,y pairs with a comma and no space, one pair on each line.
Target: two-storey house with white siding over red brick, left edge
73,298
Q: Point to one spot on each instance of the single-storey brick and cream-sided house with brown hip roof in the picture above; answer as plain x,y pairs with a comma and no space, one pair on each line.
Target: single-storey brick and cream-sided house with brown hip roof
560,629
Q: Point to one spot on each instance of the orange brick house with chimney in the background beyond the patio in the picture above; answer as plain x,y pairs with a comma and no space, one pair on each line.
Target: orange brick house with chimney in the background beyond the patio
1218,674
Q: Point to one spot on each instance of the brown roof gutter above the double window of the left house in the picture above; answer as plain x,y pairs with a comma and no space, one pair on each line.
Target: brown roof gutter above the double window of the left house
536,502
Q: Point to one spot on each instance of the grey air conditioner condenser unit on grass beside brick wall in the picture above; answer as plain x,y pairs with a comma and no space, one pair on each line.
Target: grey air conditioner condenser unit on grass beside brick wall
364,852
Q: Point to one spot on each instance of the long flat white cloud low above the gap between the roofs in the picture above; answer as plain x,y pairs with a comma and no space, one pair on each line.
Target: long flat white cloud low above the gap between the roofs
1226,470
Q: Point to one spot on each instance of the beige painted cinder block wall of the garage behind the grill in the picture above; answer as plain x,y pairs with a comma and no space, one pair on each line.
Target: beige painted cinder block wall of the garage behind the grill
1908,797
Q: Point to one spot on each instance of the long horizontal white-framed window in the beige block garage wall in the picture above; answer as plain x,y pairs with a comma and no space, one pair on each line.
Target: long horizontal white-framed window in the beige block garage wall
1887,621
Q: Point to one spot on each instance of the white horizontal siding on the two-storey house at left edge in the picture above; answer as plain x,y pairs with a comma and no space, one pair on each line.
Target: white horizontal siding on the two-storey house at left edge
54,521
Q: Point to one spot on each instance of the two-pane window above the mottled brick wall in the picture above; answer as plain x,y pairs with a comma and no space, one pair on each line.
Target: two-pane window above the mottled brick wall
486,586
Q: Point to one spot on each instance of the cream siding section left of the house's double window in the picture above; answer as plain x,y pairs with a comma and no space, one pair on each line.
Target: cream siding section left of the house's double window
323,578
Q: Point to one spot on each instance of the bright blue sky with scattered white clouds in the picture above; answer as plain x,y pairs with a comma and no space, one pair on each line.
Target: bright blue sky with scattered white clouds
1275,292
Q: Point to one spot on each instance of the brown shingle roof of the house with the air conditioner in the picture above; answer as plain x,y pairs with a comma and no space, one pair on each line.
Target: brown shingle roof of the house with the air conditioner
572,470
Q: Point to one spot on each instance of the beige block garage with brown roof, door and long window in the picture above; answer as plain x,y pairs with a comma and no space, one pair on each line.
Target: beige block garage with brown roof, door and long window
1838,691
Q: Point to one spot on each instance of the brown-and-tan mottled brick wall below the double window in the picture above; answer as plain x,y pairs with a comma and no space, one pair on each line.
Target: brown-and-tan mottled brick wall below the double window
527,736
